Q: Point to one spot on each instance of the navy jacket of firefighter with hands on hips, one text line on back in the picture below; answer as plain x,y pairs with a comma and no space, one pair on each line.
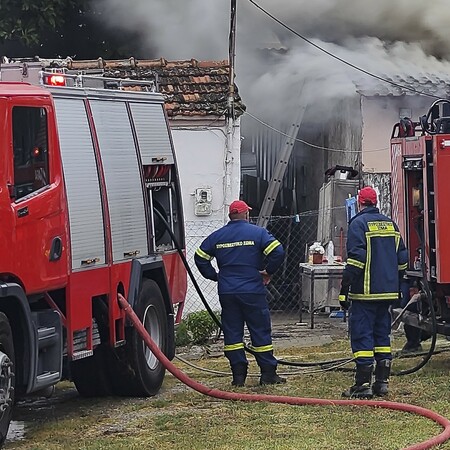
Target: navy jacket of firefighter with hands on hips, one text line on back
239,248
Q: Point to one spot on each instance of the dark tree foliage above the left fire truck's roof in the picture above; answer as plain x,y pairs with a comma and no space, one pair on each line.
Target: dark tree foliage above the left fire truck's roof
61,28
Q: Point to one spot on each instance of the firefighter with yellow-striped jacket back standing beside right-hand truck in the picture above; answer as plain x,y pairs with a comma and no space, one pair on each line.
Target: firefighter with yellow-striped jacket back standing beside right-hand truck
376,261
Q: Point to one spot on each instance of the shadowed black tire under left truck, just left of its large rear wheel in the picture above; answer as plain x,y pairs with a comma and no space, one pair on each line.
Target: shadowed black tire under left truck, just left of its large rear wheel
90,374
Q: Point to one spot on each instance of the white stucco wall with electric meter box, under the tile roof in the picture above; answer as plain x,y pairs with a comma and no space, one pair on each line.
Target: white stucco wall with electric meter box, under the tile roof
201,152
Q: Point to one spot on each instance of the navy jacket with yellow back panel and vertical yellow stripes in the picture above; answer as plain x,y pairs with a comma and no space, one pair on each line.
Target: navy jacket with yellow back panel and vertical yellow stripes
376,257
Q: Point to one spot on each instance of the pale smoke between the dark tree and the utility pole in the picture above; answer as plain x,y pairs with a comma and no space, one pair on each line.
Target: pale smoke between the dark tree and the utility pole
176,29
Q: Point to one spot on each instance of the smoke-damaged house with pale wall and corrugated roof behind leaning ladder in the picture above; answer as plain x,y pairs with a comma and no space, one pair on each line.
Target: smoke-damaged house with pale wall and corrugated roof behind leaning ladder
353,131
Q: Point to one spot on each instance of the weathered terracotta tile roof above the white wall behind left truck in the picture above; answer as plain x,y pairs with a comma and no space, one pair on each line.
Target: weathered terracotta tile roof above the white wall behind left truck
191,88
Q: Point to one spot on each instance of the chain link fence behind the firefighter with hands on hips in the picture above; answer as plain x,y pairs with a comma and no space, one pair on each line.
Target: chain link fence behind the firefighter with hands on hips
296,233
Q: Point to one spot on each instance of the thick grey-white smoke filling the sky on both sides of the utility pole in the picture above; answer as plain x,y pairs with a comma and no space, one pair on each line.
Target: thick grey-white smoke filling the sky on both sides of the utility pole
388,38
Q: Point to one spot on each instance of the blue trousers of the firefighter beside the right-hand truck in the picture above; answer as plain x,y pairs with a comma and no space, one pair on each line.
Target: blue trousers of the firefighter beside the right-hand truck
370,331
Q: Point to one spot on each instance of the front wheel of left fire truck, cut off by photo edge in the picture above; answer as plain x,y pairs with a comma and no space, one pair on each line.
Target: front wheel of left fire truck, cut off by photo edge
7,381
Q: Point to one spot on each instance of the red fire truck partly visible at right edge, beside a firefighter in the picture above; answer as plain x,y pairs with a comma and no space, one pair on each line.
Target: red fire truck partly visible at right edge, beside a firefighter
420,160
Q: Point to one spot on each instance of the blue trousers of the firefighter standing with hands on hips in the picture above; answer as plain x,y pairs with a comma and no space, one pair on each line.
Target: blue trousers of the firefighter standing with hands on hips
253,310
